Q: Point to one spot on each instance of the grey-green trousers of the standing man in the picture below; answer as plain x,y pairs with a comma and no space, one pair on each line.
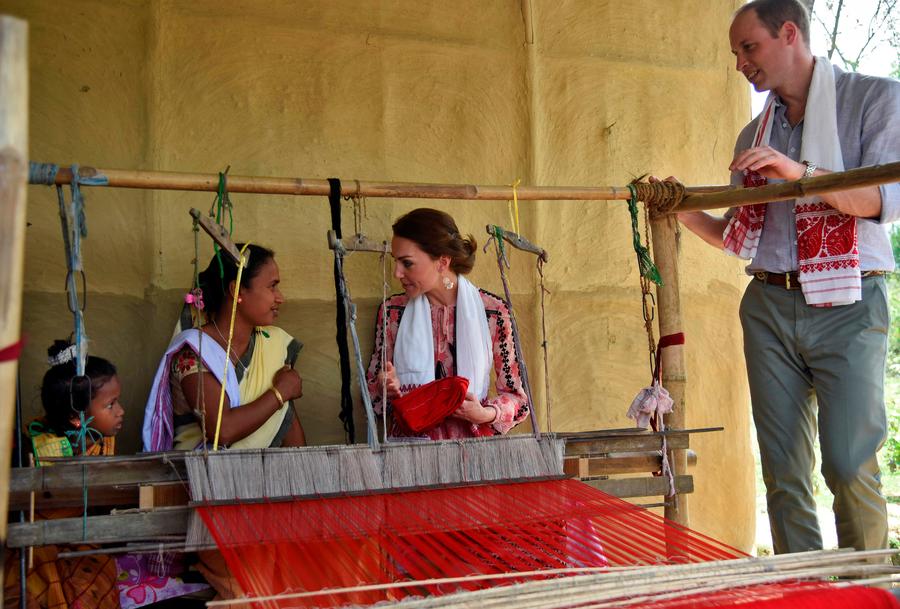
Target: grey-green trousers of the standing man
800,357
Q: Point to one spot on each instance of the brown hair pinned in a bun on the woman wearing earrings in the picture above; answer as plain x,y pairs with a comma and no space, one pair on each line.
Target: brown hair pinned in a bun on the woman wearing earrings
436,233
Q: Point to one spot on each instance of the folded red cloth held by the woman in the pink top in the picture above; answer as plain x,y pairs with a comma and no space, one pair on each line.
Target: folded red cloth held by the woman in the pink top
428,405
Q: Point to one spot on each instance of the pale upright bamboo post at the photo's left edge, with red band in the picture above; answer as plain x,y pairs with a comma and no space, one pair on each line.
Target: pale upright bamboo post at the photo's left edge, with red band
13,181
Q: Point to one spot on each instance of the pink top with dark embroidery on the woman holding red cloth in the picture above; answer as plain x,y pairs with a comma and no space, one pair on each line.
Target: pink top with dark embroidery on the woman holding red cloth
510,400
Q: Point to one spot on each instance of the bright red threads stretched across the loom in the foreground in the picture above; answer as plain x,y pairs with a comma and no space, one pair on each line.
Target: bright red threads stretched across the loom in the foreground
318,544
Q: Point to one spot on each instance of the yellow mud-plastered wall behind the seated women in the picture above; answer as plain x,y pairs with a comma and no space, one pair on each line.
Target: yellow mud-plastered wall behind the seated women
398,90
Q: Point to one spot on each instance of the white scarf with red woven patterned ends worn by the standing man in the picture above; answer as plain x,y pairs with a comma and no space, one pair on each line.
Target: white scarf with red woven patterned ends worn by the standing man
827,250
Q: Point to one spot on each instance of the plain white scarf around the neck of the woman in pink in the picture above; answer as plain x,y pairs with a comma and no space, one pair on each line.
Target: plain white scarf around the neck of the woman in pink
414,349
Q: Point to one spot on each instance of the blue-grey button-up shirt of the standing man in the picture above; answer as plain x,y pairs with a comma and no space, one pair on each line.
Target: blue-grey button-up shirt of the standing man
868,122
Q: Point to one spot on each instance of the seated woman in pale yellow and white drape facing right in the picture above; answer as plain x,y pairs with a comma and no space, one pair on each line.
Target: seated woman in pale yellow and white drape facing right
260,381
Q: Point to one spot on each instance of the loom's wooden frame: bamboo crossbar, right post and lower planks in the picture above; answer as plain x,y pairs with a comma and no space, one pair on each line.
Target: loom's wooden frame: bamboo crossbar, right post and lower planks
591,454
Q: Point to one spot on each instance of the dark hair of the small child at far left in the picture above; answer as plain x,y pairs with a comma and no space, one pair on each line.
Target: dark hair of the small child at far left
63,395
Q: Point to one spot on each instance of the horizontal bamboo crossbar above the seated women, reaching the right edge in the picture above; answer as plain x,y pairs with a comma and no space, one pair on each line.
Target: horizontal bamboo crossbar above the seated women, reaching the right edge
695,198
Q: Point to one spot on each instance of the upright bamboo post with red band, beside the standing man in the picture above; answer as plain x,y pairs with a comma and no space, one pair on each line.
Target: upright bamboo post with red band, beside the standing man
668,314
